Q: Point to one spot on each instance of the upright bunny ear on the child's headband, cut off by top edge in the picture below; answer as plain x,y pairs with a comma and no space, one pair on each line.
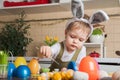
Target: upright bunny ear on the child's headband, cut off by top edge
77,8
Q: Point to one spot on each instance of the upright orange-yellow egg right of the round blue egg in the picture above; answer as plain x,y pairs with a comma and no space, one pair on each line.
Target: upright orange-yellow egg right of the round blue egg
34,66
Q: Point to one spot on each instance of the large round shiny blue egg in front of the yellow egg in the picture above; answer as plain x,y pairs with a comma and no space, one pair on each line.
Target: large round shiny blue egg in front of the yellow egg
22,71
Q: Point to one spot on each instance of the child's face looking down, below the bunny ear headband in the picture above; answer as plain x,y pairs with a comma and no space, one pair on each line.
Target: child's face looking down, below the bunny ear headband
74,39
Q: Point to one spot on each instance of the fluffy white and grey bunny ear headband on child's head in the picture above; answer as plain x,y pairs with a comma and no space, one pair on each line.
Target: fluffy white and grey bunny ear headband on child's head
77,8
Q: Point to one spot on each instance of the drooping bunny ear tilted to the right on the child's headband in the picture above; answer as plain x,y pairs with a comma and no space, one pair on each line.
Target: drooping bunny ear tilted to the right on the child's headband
98,17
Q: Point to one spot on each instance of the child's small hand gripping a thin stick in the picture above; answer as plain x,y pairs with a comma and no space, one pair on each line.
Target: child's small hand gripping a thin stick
45,51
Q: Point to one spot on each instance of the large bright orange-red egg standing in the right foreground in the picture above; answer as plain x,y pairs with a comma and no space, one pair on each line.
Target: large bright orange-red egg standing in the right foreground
90,66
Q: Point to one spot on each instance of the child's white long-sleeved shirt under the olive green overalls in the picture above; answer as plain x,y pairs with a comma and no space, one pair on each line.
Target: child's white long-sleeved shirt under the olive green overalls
66,56
